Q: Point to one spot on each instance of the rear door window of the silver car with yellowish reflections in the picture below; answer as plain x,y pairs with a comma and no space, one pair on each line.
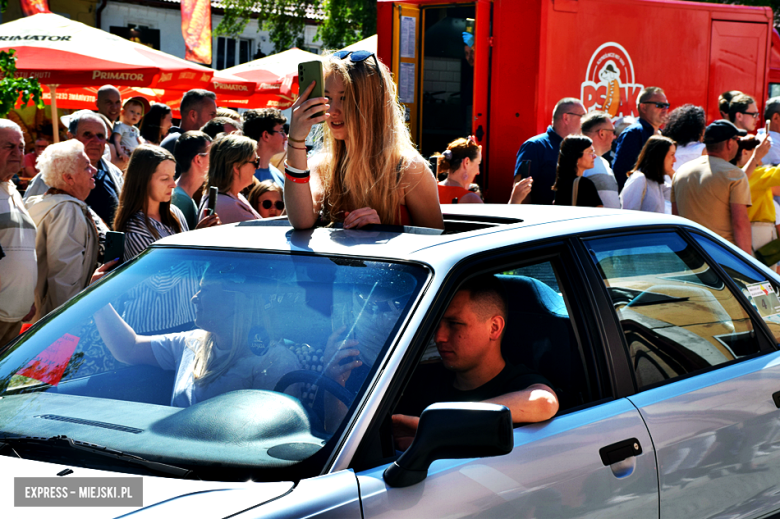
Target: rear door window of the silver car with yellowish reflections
677,315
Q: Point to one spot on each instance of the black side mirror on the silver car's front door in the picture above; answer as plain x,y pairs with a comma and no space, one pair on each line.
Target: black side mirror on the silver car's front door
452,431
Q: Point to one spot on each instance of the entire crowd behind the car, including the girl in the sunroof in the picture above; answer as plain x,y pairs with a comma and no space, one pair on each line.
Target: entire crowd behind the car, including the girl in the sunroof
126,168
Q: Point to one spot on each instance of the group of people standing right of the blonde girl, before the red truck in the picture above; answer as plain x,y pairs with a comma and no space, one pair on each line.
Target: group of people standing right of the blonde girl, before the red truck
723,176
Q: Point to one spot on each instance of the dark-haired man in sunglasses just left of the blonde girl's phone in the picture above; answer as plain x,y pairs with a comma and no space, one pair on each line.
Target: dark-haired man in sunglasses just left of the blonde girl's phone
266,126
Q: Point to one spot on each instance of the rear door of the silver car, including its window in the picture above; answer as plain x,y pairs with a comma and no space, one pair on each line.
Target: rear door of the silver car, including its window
706,372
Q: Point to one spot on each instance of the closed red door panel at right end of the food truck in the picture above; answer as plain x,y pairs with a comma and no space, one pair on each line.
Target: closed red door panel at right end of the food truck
737,61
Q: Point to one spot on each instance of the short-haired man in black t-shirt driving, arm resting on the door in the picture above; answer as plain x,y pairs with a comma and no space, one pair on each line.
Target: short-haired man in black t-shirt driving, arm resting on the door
472,368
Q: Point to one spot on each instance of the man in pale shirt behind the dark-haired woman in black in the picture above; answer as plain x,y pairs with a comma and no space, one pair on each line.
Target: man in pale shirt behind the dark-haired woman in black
598,127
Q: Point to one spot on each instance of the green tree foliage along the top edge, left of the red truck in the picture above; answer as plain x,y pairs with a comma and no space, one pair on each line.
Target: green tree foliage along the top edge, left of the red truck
344,21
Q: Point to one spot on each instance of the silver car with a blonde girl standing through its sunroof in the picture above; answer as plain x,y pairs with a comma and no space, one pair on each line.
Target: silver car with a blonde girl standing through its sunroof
203,366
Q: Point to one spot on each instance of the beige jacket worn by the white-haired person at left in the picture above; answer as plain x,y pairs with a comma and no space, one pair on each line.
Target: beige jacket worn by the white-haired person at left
66,246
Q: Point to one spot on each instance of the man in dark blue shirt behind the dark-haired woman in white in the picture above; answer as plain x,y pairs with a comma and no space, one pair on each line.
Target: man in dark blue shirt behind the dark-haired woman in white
653,111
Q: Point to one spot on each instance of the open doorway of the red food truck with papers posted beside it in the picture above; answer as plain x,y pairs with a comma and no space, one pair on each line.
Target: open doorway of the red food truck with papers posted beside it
440,61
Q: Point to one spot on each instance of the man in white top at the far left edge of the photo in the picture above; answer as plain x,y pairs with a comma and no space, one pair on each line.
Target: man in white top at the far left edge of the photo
18,271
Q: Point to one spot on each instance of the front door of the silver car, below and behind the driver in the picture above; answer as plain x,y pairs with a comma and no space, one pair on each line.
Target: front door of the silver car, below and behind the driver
570,466
